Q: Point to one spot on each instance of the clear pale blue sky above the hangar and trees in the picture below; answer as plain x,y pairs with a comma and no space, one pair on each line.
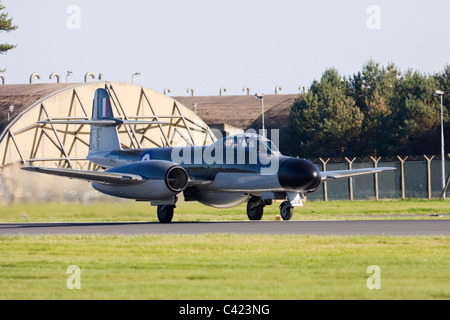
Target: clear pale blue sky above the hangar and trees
210,44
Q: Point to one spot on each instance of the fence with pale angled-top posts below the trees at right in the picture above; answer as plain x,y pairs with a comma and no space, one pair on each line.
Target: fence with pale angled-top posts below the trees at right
415,177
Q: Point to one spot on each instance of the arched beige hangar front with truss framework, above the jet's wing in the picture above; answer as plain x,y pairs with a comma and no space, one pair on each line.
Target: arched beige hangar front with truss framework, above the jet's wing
23,140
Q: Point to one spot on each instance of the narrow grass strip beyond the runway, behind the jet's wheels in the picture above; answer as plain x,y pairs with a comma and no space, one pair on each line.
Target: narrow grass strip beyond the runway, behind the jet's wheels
135,211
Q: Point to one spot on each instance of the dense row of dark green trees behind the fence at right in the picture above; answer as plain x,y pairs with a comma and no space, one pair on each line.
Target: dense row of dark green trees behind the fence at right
379,111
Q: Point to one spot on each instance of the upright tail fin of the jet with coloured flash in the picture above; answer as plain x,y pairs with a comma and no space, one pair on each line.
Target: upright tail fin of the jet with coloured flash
104,137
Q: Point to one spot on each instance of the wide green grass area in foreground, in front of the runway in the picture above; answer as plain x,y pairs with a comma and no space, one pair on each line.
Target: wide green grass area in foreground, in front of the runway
224,267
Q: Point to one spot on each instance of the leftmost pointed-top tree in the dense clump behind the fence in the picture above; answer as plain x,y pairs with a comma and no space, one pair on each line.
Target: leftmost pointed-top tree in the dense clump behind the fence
326,121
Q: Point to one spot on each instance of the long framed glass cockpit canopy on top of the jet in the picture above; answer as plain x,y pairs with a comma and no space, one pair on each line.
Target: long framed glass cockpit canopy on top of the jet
250,142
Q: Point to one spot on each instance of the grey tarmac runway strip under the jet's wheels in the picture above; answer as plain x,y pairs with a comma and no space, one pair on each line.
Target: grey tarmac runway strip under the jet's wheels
344,227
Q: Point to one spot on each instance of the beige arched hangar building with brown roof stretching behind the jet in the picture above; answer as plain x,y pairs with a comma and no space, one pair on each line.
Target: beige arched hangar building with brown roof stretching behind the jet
190,121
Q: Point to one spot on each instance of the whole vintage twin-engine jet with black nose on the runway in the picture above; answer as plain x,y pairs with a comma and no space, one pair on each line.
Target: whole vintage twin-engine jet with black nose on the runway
245,167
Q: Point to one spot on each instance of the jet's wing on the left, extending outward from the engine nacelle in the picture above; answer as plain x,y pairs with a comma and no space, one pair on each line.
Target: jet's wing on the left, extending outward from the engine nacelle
91,176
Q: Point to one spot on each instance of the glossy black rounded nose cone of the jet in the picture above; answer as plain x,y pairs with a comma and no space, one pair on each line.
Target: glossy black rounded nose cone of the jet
299,174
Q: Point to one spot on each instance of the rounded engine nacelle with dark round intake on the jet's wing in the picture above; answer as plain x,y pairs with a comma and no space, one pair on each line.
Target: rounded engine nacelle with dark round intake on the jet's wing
161,180
